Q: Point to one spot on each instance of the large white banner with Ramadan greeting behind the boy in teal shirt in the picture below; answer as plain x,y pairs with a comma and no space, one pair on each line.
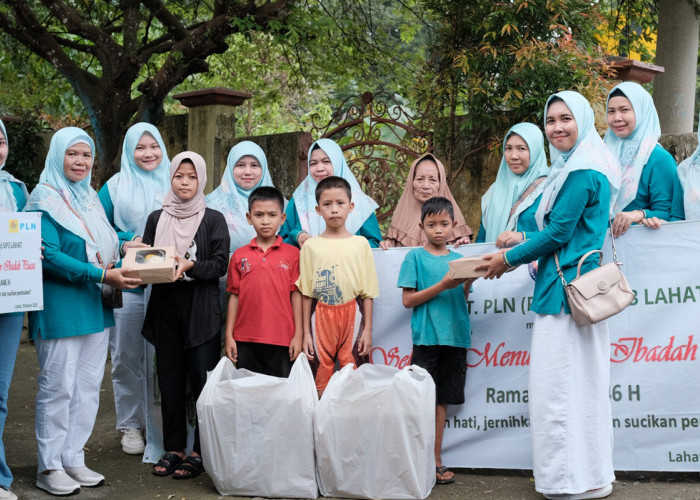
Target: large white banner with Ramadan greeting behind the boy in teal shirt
655,363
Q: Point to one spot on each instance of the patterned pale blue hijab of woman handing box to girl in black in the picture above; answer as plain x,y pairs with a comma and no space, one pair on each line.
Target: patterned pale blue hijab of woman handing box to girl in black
74,205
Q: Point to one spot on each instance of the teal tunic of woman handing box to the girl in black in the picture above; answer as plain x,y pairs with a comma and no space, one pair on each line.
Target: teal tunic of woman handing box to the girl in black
72,297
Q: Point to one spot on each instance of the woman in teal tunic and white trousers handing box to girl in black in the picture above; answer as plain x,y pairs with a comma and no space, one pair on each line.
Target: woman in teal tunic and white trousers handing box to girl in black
70,333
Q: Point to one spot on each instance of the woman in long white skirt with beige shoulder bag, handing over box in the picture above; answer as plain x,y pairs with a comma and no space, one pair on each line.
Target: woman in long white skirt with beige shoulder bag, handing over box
570,415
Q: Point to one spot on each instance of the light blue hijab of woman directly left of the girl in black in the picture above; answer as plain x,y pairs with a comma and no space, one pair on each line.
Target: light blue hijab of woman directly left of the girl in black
135,193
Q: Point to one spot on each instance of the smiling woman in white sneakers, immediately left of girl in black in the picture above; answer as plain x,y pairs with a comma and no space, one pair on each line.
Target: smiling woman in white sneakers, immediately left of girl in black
128,198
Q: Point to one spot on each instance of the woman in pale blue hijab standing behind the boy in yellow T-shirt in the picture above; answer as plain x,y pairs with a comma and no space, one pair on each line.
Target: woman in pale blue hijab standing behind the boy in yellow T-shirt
326,159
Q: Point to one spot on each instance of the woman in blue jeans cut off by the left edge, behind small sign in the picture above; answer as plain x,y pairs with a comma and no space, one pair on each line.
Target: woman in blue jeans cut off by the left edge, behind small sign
13,196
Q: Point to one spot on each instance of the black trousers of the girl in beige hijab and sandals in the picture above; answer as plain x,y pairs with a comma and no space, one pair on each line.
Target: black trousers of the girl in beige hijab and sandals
176,367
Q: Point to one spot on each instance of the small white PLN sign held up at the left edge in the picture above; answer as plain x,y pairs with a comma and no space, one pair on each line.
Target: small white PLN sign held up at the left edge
20,262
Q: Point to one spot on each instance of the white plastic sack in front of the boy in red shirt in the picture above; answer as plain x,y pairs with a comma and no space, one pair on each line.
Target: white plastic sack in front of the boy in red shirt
256,431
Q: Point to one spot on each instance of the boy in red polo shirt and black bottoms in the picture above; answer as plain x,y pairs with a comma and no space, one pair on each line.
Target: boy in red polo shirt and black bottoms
263,326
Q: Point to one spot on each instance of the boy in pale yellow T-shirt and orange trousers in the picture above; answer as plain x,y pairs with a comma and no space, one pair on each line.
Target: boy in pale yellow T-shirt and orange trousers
336,271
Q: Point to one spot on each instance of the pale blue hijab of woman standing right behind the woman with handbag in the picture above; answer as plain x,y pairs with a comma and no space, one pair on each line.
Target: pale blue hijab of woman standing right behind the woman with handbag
633,152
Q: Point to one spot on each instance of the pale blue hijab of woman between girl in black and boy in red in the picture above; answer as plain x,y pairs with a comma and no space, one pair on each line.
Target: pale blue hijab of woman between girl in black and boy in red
232,200
